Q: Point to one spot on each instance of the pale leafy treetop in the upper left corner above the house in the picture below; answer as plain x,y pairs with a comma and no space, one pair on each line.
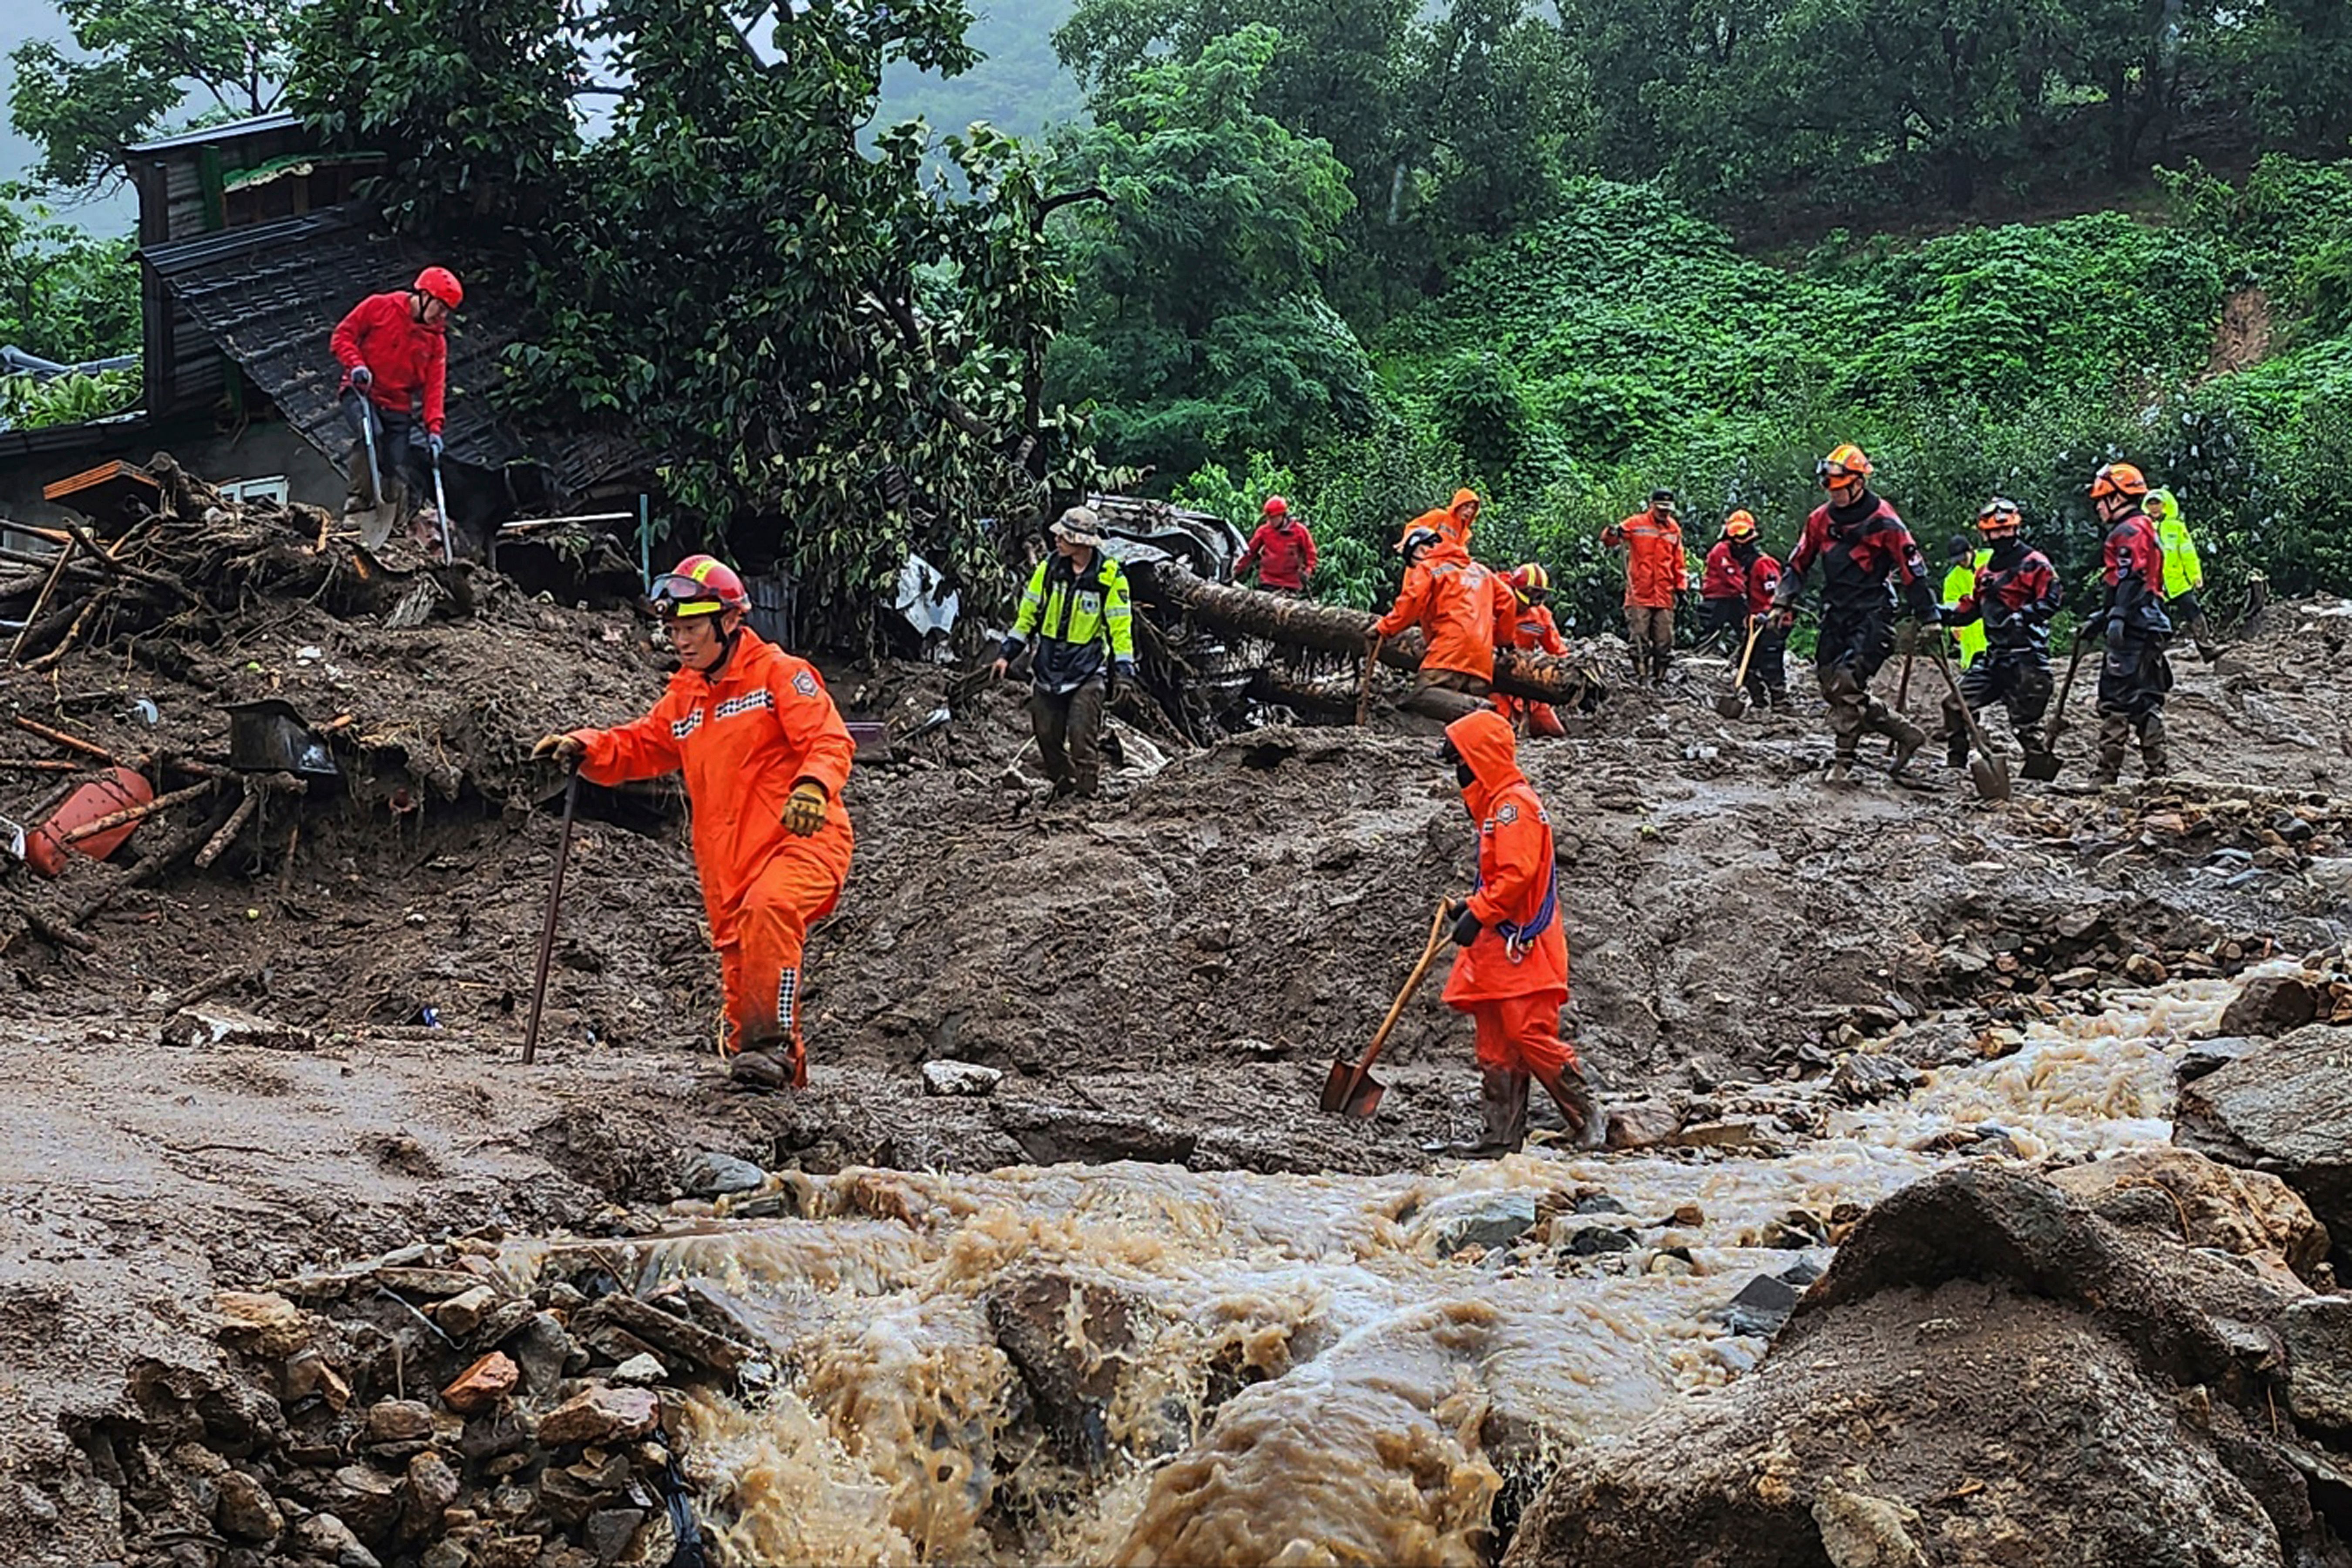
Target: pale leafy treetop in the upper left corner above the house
142,62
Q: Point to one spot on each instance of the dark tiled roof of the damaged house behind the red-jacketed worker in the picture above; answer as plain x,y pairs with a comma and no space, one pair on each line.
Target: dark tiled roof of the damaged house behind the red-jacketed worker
272,295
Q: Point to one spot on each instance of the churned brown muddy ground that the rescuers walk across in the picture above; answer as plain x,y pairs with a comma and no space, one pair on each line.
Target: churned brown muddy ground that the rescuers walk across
1161,977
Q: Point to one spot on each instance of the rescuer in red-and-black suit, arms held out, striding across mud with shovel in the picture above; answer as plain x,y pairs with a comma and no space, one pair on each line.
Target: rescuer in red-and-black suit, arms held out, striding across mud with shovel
1864,554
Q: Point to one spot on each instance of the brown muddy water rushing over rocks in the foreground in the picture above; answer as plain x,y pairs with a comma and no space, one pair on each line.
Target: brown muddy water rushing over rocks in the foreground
1292,1372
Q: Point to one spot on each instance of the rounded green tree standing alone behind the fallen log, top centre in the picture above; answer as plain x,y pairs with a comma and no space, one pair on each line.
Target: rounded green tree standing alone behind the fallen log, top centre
1201,328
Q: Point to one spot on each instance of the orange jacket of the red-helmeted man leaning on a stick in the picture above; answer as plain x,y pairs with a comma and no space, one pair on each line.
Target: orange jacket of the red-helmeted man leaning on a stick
742,742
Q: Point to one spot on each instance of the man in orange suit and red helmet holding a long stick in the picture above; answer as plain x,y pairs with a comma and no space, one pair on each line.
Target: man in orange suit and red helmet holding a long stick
766,756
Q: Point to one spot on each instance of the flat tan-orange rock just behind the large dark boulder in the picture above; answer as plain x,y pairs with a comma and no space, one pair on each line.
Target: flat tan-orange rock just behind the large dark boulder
2250,1214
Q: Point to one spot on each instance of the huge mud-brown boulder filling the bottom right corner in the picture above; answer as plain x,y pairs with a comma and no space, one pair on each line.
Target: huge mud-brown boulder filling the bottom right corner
1989,1374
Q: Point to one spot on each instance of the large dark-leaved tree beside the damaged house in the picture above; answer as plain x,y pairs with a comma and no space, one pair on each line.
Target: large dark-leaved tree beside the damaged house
836,356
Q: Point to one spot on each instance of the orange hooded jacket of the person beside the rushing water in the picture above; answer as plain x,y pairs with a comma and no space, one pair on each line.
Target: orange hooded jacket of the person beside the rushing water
1521,949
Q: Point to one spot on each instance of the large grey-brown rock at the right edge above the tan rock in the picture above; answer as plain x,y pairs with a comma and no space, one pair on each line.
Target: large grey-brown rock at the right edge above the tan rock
2285,1108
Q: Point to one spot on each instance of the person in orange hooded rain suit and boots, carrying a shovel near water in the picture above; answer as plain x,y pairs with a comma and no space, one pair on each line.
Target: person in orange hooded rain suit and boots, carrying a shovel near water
1514,965
